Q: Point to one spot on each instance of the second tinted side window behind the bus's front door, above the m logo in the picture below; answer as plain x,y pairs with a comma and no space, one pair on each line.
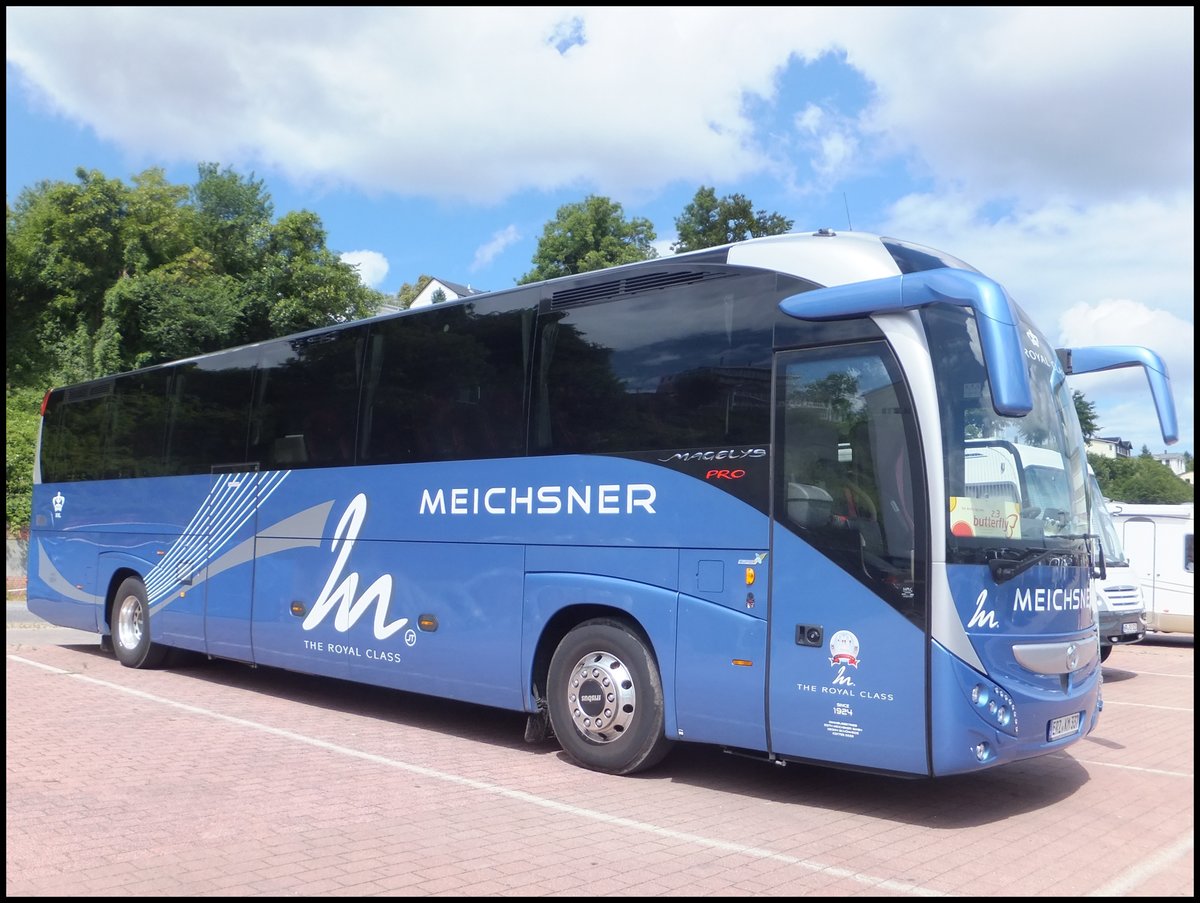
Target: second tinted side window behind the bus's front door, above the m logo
448,384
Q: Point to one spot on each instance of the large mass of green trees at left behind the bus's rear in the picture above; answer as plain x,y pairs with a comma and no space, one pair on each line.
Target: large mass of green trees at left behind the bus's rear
103,277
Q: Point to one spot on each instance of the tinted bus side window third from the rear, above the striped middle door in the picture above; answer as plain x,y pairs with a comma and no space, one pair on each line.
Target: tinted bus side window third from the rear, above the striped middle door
209,412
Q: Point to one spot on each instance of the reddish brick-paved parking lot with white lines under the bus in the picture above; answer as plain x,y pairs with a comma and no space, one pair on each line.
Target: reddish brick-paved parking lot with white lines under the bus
215,780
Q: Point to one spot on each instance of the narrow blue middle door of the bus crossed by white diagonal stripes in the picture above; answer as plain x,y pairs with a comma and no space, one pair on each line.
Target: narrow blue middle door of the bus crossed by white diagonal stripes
231,522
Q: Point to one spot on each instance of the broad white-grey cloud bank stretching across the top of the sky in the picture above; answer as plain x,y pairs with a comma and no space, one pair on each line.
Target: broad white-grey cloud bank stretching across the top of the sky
1036,103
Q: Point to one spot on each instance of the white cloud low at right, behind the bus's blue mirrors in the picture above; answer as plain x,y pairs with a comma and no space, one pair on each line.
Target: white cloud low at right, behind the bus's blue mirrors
1118,273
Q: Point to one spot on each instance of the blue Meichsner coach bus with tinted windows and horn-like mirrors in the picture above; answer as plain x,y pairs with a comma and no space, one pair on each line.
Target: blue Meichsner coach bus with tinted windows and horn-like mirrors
719,498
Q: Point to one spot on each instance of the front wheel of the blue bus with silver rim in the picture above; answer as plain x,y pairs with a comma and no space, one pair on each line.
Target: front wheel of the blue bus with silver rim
605,699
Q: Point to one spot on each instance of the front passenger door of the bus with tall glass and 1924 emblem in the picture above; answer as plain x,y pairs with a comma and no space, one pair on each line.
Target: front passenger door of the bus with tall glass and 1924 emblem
848,577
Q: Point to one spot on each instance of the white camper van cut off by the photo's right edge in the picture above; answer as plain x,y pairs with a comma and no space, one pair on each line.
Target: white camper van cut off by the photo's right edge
1160,541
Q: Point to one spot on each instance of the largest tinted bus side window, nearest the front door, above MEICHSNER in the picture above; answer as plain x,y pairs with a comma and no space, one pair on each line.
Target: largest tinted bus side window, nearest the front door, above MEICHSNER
669,369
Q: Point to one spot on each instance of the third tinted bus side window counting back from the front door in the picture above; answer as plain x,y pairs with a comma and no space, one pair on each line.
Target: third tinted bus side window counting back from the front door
308,390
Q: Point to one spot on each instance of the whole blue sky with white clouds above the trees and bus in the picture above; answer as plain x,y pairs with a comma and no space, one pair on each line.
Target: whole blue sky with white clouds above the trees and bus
1051,148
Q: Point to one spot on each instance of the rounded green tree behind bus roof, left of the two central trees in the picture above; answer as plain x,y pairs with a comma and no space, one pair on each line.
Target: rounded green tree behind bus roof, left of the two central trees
590,236
